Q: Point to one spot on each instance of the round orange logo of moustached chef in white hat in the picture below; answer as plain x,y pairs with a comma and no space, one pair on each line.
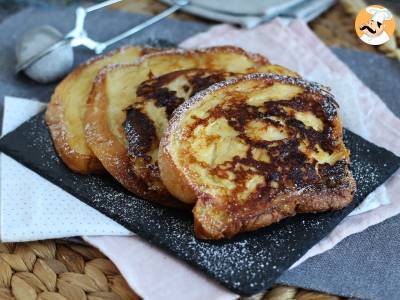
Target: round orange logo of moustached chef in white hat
375,25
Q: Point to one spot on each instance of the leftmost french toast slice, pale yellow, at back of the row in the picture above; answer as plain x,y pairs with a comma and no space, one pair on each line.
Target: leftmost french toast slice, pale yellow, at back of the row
68,104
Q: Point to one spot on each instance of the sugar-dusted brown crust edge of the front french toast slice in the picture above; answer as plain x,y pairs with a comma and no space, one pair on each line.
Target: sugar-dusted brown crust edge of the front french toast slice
179,185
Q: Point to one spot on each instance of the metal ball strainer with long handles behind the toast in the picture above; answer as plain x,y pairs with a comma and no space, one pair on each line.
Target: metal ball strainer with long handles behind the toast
45,55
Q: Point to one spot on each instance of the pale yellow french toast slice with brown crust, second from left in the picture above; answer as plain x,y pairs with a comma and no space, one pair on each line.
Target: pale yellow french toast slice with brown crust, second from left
115,89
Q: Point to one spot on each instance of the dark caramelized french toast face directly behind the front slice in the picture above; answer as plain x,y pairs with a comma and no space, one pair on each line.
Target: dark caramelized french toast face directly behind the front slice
157,98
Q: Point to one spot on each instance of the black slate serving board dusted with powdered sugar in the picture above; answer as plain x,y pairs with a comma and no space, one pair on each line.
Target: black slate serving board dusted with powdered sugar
248,263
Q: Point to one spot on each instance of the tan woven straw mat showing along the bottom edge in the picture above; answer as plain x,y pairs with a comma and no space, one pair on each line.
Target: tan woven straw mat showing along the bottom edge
62,270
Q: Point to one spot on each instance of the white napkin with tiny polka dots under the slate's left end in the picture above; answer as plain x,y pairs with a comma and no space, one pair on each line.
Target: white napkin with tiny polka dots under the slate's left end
33,208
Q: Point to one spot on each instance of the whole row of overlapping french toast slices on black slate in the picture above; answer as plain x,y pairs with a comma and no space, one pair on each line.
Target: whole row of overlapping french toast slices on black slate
242,142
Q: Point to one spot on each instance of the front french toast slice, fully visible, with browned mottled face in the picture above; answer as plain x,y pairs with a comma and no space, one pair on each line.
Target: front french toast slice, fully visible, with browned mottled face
253,150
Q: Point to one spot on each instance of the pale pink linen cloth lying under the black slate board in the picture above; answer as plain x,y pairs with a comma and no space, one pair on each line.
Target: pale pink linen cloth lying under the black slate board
154,274
